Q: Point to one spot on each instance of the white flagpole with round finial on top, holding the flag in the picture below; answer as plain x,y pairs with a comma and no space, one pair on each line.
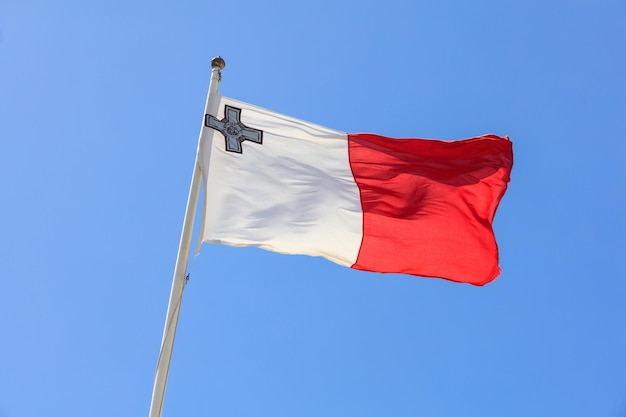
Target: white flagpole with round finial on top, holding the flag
178,282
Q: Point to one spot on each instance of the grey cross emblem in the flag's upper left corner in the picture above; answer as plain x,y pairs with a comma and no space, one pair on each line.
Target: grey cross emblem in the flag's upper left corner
233,130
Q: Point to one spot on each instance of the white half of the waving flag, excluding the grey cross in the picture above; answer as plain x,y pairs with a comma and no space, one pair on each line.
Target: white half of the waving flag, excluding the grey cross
294,193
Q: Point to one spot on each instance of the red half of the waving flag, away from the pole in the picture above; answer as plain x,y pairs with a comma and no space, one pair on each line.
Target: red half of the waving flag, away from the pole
428,205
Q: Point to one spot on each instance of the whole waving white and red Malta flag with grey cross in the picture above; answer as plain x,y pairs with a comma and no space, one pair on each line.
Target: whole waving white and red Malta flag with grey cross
411,206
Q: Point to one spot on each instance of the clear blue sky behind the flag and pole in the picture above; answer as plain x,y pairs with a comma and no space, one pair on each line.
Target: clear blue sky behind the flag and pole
100,108
